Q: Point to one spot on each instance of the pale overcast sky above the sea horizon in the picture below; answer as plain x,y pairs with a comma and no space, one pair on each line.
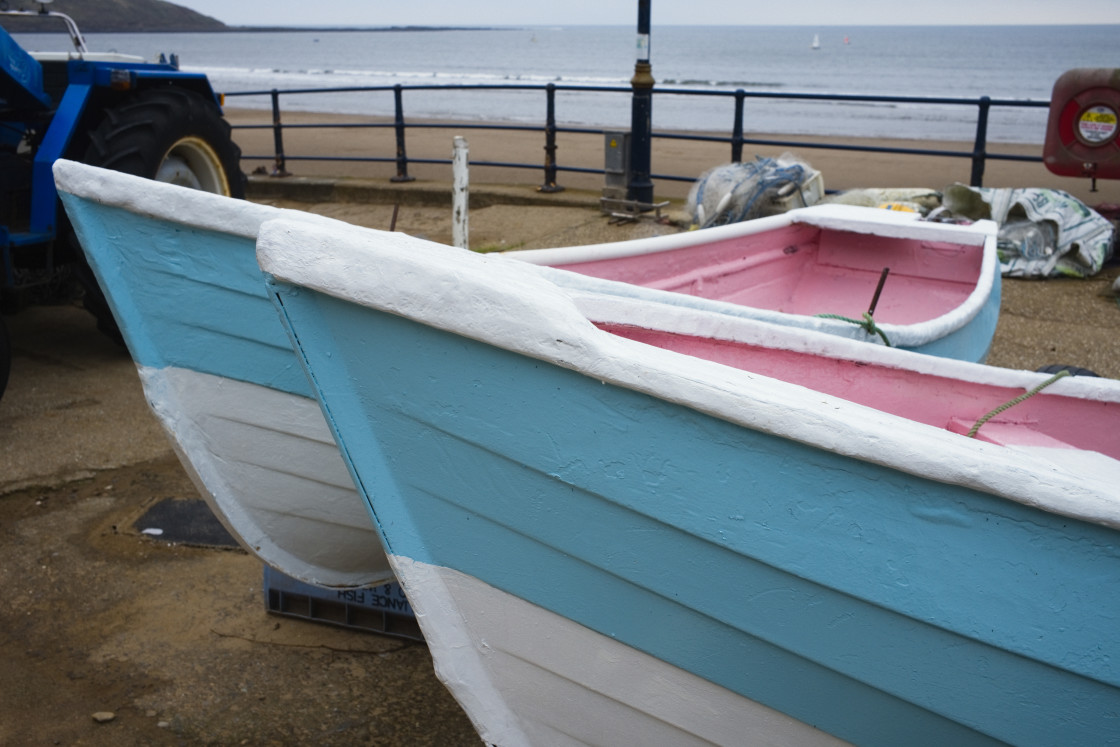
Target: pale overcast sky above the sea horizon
673,13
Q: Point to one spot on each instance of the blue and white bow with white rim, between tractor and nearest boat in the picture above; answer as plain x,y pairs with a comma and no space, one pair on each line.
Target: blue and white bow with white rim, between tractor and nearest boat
180,273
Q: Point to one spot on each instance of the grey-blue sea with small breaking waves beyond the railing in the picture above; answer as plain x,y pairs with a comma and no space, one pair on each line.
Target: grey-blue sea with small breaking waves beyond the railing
1004,63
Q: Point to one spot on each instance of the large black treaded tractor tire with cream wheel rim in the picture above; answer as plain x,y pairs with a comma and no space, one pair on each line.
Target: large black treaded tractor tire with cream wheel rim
169,135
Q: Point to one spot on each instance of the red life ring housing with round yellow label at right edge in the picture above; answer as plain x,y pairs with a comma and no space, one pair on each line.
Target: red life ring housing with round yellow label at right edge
1085,123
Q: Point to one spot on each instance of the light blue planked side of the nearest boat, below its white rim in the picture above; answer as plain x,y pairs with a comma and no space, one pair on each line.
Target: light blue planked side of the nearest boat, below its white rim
883,608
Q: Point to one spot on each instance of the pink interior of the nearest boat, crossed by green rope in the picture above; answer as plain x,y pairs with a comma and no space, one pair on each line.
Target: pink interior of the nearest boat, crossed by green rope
950,404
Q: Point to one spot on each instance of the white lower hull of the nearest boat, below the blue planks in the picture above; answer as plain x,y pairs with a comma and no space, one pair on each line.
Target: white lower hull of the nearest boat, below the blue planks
611,694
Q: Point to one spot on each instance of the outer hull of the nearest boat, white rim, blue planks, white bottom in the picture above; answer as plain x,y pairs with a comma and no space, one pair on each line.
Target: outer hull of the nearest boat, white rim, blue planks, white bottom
543,485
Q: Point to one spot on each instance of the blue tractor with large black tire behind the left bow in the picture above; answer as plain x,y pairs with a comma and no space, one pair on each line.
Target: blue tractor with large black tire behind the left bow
109,110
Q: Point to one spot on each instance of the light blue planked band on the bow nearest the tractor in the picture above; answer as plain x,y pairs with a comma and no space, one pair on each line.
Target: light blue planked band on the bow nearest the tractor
186,297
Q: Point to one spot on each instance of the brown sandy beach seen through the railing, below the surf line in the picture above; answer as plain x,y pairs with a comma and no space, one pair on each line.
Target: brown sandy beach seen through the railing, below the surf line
842,170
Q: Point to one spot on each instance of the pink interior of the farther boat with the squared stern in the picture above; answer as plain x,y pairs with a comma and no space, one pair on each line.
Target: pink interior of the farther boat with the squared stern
807,270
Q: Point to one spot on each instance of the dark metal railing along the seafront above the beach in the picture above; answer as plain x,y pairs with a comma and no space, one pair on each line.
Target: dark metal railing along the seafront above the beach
978,155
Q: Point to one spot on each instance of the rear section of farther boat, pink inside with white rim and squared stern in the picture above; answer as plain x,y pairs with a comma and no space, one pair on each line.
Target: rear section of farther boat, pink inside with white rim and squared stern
941,296
